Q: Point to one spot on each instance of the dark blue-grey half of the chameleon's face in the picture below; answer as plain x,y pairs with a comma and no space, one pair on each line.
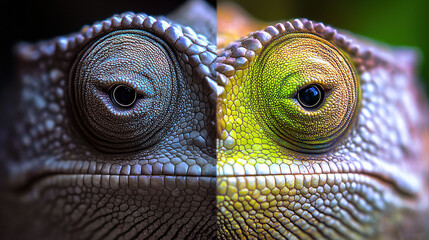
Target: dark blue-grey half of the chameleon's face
114,132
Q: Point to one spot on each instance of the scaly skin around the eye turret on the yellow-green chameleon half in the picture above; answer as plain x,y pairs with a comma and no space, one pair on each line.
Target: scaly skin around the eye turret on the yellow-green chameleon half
267,191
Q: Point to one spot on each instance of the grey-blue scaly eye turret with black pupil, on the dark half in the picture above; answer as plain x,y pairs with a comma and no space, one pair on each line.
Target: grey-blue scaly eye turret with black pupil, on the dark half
124,91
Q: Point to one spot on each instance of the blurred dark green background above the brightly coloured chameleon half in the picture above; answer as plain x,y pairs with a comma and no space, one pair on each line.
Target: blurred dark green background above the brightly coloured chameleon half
395,22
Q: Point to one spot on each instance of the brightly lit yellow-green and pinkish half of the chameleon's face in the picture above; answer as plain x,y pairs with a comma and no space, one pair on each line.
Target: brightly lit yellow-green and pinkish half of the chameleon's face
323,134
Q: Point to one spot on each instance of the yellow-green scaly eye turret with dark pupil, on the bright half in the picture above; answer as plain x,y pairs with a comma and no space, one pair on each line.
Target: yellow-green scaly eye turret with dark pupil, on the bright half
305,92
